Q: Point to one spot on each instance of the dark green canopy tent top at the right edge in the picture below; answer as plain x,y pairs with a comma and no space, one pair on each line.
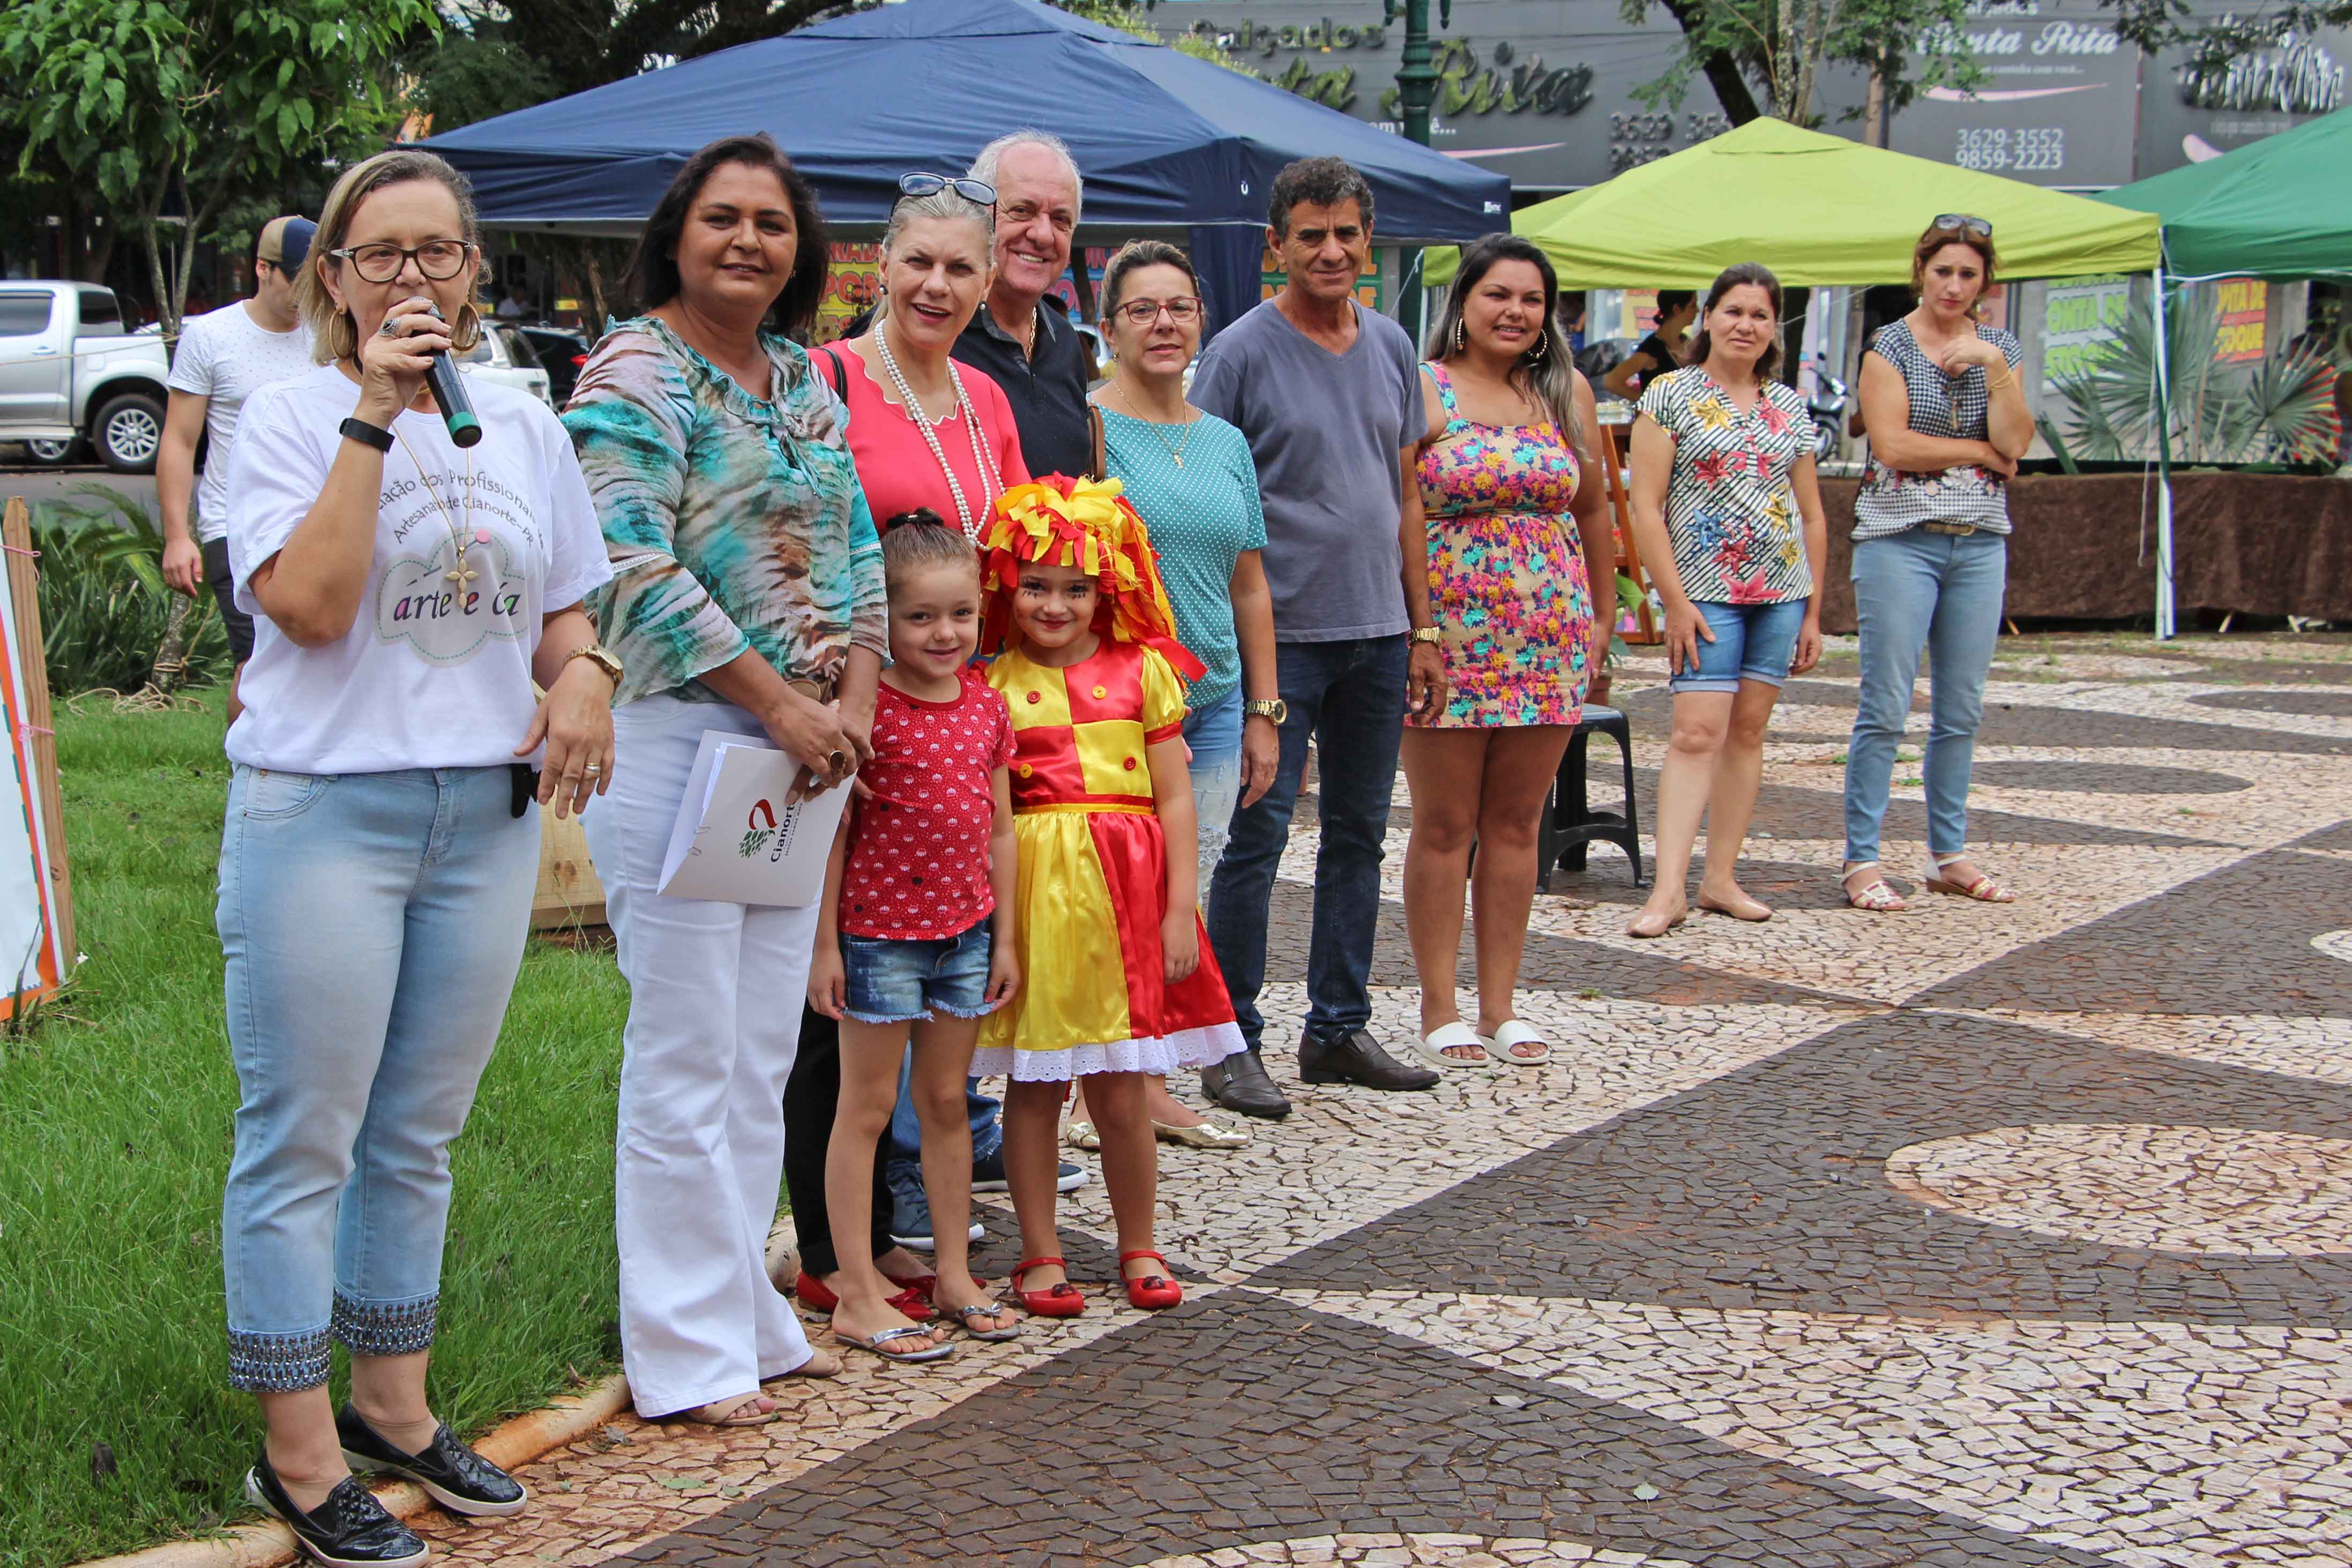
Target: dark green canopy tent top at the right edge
2276,208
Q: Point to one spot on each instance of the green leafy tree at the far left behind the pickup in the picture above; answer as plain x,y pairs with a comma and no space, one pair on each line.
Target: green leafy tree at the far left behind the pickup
194,105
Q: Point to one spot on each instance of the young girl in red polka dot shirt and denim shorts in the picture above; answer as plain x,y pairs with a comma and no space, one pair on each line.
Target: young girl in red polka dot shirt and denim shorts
918,934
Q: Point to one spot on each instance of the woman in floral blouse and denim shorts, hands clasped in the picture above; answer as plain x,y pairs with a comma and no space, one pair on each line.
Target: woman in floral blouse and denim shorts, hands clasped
1723,471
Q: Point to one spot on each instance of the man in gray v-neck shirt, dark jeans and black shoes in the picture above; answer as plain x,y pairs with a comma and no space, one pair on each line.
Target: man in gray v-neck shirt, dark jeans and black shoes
1330,401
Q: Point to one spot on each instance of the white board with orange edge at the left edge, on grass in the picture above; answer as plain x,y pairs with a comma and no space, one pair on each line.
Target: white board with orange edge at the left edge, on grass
36,892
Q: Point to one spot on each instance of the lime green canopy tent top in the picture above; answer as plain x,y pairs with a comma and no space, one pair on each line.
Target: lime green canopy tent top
1817,210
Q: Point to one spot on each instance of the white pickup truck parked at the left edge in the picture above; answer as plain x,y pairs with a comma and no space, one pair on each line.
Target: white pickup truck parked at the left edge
69,370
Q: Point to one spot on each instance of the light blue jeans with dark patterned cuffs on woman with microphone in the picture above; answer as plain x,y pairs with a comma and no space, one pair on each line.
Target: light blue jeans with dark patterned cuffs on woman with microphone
373,930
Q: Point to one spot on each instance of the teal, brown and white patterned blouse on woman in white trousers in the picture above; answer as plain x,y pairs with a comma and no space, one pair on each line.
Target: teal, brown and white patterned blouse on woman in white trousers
735,523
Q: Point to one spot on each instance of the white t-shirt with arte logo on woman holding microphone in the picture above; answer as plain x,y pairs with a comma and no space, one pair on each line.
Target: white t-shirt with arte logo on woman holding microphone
436,671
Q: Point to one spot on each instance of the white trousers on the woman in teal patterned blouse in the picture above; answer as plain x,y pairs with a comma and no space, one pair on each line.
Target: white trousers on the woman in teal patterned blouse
714,1024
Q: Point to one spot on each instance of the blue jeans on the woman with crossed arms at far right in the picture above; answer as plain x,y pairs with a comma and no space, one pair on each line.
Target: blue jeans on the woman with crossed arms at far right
1944,594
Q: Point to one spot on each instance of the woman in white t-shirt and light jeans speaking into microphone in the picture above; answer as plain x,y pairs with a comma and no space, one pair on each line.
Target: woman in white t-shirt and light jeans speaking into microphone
380,847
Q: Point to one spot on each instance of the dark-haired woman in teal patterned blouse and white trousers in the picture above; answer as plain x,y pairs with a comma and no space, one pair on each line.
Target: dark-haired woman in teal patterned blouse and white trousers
747,598
